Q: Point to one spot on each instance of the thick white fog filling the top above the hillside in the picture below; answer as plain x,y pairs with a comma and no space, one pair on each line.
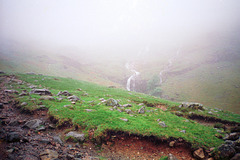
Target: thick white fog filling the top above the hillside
110,27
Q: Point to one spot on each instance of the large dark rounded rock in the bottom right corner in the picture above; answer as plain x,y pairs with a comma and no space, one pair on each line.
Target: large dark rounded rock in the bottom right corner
226,151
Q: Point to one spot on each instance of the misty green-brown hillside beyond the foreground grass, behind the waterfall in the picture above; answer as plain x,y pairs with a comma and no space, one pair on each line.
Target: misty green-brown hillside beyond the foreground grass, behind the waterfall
205,71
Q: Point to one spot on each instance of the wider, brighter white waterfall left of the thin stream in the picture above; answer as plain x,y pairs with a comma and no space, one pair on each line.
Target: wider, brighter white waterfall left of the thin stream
133,77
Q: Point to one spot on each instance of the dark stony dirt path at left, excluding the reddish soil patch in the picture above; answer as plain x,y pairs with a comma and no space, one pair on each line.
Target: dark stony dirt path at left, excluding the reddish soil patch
28,144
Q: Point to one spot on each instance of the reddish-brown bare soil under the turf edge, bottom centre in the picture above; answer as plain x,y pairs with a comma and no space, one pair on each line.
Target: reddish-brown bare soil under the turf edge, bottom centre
123,146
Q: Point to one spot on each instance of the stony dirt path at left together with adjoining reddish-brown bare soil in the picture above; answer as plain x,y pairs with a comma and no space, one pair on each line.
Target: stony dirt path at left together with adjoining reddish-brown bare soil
20,143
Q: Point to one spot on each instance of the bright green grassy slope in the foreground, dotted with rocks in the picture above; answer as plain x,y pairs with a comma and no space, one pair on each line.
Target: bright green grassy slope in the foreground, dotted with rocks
102,119
